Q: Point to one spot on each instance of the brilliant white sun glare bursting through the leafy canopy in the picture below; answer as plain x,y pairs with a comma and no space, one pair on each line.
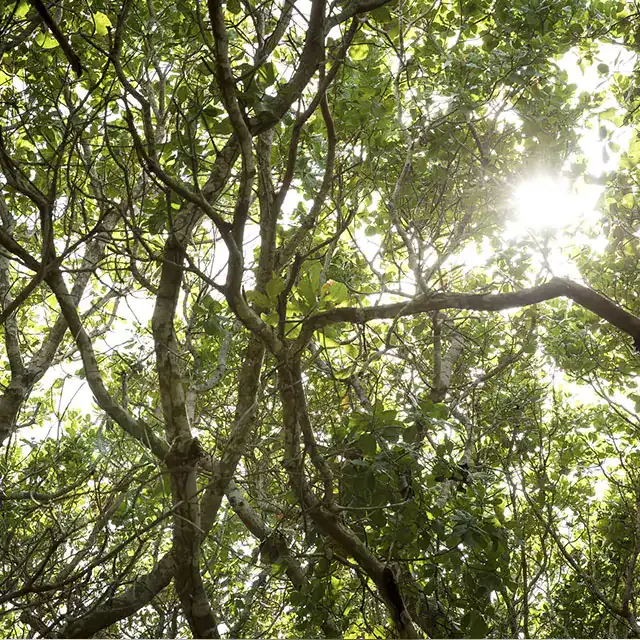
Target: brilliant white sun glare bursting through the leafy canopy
546,203
